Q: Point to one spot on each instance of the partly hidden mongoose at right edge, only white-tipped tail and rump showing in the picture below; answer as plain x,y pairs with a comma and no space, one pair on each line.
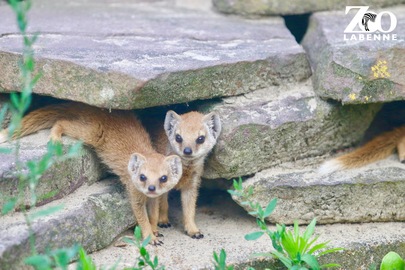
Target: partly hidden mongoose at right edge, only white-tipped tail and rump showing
378,148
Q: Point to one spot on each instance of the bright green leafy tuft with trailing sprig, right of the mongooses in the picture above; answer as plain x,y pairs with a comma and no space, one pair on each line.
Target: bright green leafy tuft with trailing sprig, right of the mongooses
295,250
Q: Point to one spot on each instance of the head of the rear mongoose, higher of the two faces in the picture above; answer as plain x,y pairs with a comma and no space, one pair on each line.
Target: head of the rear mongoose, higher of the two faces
192,135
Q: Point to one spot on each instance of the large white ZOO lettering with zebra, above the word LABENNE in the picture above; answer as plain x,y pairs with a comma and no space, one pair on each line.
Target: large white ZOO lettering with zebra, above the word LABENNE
363,18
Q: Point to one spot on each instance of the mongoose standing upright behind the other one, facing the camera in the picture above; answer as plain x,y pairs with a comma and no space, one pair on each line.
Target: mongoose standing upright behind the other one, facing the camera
190,136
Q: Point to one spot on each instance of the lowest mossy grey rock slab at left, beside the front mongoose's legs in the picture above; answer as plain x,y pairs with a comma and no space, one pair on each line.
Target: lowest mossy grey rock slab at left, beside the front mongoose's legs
92,217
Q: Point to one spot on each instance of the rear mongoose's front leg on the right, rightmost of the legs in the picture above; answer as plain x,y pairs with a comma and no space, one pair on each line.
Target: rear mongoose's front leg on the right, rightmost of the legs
188,200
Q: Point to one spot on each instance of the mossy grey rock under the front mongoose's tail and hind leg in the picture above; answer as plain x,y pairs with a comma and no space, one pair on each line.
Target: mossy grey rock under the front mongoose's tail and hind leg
61,179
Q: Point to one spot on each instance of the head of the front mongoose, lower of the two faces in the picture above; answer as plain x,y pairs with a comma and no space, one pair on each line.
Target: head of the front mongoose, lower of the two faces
155,175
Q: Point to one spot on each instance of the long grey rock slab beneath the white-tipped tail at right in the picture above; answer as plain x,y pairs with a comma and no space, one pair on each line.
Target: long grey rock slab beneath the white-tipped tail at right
374,193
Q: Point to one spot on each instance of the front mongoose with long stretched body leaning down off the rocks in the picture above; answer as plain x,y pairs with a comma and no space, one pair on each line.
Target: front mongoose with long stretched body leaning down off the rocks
123,145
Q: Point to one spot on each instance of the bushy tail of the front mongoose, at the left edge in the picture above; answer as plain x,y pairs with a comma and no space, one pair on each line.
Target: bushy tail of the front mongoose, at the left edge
43,118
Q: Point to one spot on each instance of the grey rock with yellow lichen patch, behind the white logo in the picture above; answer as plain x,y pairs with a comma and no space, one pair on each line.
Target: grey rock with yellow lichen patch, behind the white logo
356,71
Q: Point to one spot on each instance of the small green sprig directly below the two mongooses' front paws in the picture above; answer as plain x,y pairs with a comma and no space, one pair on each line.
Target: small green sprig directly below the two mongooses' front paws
144,259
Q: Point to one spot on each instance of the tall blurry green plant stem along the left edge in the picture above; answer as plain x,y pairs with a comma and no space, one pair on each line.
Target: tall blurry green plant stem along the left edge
19,104
